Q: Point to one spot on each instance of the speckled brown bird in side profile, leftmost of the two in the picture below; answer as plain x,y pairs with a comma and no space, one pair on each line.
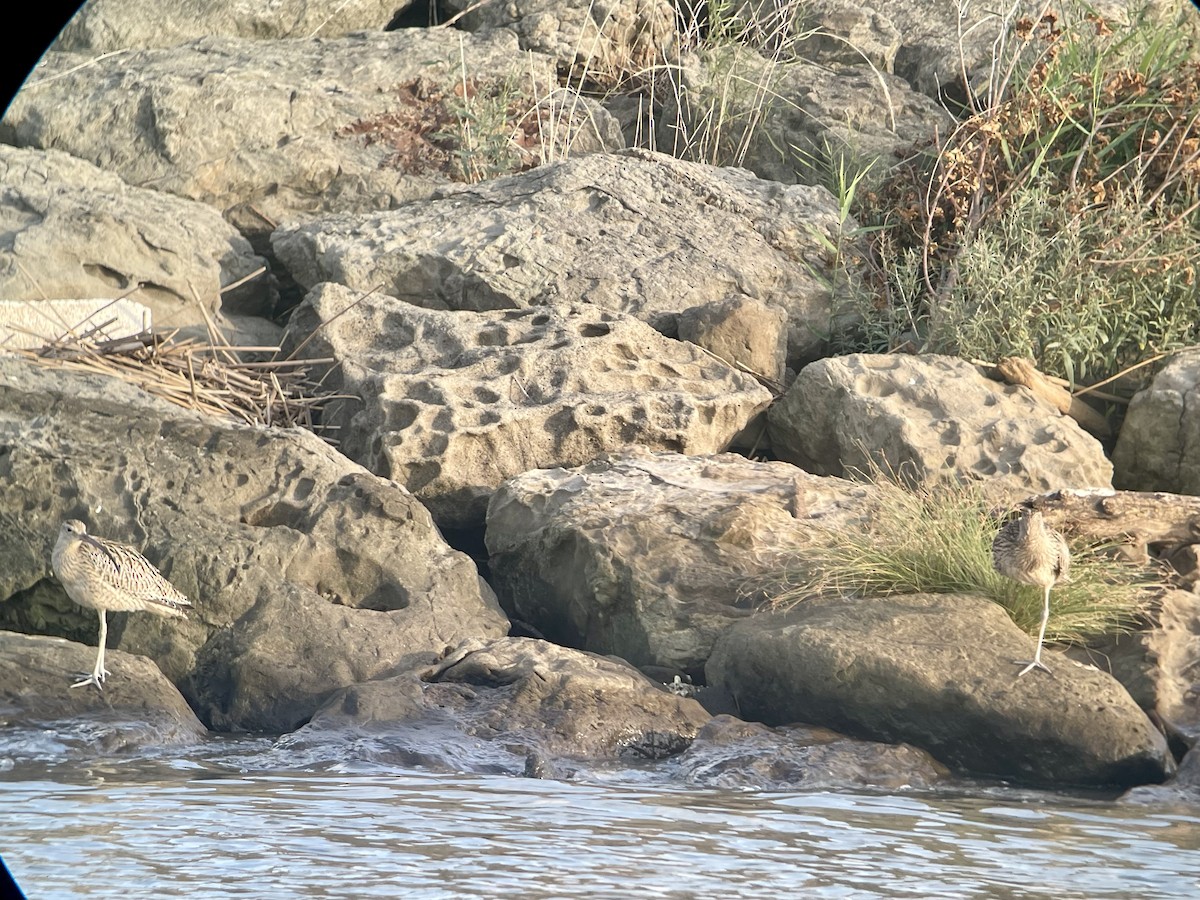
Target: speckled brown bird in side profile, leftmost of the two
105,575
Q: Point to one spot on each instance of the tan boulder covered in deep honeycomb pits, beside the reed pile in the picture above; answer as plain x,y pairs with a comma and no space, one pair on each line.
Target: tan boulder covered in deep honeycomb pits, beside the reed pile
453,404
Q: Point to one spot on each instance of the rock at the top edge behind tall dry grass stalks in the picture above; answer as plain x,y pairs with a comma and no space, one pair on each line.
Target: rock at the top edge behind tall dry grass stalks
604,43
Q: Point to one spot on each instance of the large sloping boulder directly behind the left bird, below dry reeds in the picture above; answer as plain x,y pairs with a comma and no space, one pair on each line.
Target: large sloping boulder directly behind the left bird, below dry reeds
308,573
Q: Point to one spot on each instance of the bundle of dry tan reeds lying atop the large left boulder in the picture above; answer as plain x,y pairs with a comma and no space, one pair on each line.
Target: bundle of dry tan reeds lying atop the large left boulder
212,377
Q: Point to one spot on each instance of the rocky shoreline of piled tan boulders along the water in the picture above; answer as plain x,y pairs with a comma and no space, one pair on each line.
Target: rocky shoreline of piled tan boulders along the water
556,391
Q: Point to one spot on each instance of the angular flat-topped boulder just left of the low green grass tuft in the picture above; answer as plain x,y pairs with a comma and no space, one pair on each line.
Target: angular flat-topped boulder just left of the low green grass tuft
651,557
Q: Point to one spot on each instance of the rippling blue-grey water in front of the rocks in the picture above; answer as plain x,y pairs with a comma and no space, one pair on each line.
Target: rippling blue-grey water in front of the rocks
220,825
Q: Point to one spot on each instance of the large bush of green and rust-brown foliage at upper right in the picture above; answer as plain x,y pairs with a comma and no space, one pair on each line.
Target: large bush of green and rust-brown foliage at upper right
1059,221
